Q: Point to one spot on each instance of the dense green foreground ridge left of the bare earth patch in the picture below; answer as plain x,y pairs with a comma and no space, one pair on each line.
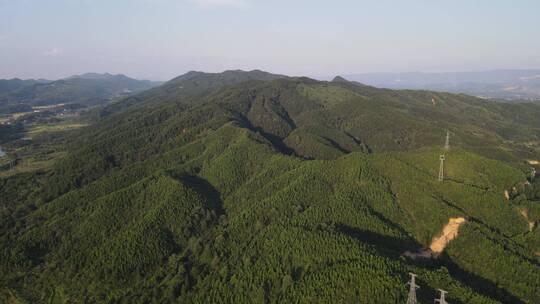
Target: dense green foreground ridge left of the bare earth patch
239,221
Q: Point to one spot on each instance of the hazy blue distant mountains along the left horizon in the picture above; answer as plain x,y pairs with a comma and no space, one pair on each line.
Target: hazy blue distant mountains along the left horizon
86,89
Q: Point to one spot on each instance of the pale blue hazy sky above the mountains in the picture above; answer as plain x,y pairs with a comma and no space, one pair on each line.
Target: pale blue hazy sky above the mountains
160,39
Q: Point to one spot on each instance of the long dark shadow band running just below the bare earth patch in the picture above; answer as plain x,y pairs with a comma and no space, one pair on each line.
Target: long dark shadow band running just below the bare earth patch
393,248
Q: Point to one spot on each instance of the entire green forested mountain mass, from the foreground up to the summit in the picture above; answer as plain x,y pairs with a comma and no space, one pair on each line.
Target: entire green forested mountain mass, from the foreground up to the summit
278,190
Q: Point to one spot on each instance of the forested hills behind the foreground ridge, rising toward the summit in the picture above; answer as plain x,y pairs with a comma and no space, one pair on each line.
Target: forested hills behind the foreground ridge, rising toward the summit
324,120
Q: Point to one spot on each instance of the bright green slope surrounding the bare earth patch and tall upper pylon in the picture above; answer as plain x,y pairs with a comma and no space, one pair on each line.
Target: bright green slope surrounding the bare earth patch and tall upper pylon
490,244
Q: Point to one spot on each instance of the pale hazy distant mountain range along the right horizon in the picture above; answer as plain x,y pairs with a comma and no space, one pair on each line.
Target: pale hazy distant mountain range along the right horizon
499,84
